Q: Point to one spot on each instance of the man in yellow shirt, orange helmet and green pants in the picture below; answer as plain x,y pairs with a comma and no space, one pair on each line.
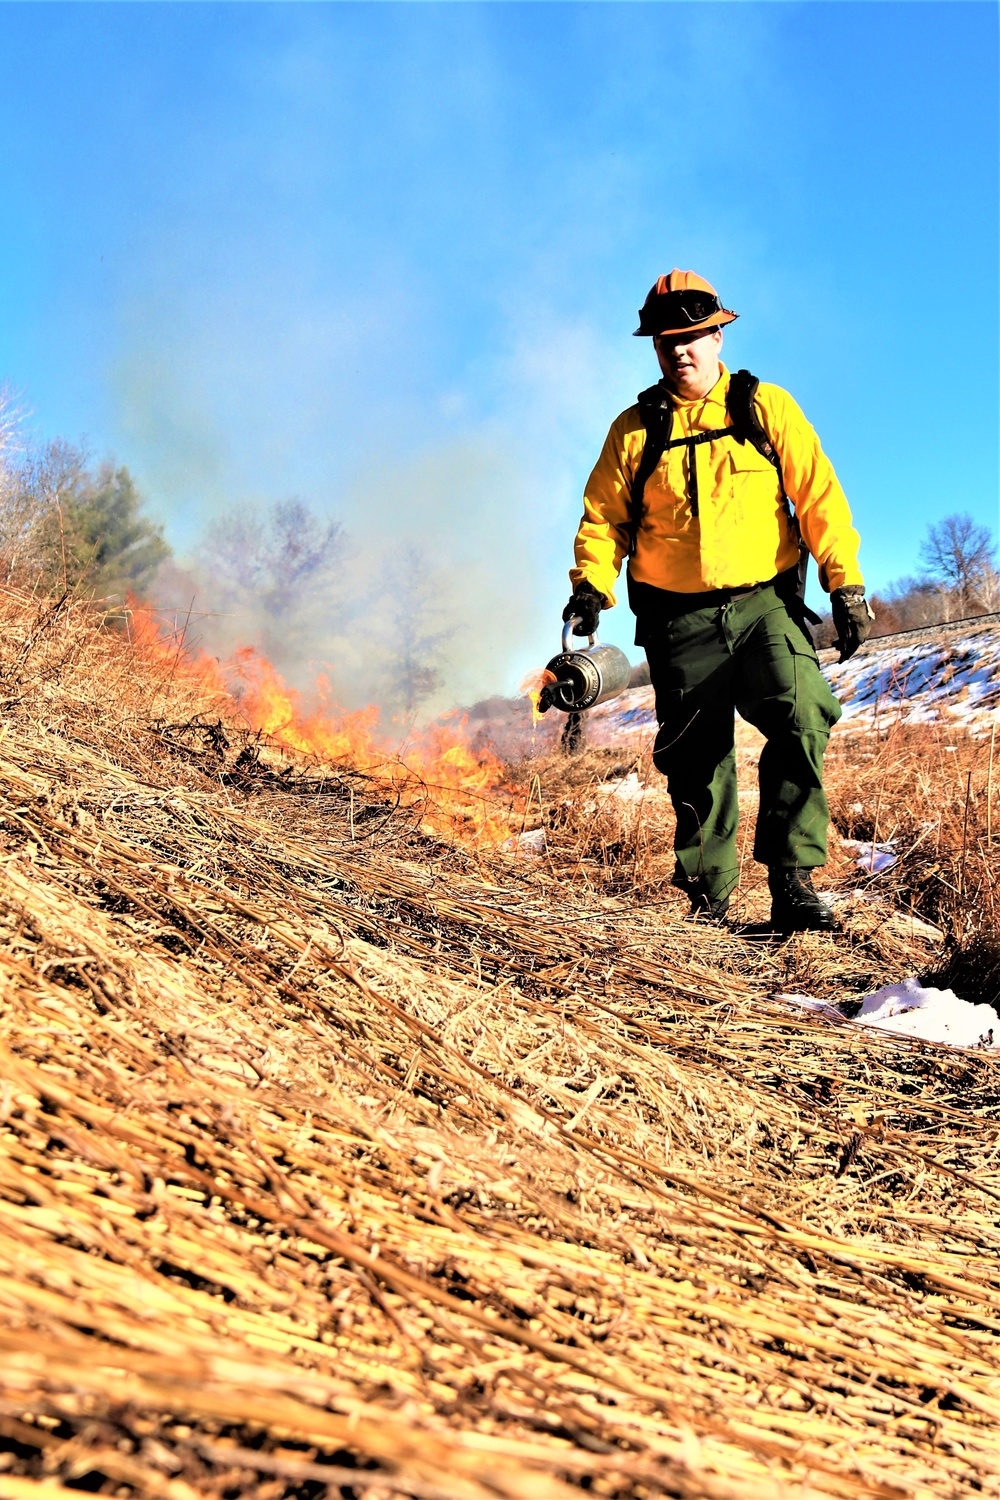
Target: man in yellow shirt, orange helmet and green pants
713,487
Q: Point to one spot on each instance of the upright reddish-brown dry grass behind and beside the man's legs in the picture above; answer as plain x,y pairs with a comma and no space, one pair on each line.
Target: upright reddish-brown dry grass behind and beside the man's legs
918,787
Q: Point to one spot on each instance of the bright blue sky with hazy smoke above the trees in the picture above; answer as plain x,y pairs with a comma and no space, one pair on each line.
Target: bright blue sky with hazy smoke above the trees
389,257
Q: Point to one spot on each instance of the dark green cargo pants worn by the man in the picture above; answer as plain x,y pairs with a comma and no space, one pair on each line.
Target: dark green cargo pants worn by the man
752,658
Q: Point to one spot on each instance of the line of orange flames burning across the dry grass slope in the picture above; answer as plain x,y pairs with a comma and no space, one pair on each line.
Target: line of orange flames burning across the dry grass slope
460,791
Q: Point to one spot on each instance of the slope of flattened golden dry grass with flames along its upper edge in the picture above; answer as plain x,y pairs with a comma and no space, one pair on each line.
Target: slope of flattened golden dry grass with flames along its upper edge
350,1150
